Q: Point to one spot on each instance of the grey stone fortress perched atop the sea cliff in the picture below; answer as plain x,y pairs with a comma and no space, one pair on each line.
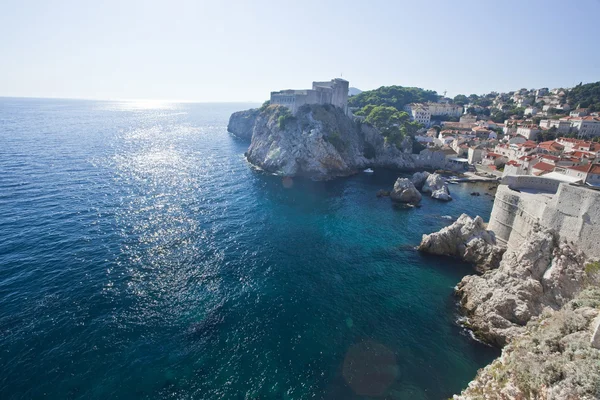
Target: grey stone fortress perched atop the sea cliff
331,92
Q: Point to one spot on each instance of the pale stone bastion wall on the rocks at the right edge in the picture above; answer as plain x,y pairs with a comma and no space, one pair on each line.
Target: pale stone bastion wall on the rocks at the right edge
524,202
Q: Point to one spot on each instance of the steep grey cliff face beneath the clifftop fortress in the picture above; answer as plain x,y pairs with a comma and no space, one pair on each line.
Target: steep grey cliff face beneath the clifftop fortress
319,142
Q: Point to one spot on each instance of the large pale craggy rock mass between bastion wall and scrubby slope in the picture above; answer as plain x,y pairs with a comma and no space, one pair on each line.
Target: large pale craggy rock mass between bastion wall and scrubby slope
540,273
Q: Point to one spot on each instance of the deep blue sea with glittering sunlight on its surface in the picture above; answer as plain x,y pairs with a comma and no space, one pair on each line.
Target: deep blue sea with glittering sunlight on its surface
141,257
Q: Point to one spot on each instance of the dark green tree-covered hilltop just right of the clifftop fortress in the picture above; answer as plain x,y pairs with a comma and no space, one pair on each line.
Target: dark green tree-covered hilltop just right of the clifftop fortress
394,96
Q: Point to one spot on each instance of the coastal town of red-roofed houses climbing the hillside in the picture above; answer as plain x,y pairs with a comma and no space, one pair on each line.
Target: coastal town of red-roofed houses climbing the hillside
515,146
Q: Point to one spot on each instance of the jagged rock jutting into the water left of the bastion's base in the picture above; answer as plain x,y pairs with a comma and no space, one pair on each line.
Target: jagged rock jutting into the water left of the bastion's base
466,239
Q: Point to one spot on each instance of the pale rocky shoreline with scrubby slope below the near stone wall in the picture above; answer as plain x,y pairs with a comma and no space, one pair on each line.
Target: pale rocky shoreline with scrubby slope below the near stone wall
537,301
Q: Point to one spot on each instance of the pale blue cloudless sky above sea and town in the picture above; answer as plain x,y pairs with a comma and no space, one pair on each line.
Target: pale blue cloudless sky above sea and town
240,50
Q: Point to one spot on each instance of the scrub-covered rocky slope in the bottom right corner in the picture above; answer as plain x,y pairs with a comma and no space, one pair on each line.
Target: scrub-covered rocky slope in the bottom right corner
553,359
